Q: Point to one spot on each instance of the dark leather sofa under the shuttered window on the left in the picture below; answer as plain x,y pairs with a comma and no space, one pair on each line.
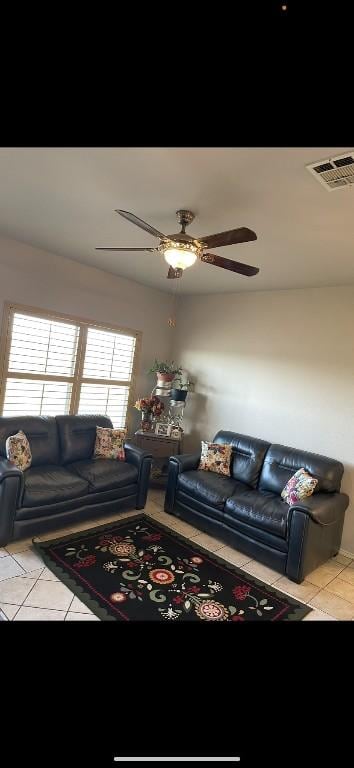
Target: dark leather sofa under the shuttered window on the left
64,482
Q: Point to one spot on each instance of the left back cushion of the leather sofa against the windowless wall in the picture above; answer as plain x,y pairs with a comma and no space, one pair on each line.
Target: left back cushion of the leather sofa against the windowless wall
247,456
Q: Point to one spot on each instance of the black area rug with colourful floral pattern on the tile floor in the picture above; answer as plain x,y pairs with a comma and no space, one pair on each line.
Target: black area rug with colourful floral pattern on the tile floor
137,569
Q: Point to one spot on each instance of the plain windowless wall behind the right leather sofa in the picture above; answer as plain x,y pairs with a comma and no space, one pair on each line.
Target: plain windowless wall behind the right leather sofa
278,365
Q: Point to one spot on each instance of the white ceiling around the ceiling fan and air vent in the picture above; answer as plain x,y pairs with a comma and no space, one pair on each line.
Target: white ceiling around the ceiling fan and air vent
63,199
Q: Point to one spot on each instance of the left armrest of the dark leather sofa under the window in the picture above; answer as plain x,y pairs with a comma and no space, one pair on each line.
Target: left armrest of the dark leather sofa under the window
11,485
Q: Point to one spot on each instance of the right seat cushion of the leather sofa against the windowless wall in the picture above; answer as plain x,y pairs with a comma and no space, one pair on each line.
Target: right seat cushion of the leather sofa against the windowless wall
261,509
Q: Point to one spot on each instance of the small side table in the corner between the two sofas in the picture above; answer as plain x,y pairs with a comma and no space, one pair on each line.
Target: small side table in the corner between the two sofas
161,448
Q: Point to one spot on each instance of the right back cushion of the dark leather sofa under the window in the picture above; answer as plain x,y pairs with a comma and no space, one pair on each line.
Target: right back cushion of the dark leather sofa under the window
77,435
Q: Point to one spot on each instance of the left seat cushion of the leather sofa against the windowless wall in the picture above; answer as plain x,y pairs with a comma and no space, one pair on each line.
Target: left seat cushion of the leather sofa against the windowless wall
208,487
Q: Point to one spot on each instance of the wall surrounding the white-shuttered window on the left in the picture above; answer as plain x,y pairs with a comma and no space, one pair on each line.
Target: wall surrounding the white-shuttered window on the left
40,279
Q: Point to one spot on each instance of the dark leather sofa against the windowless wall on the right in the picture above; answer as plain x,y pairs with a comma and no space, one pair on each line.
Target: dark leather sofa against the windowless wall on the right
247,512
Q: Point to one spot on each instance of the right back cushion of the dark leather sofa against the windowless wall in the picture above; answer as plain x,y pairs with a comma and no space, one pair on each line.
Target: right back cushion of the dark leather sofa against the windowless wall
281,463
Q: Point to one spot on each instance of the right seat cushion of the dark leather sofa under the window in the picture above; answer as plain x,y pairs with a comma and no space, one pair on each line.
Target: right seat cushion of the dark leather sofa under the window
104,474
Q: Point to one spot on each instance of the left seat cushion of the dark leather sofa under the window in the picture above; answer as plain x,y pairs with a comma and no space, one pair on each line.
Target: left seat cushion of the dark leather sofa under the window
50,484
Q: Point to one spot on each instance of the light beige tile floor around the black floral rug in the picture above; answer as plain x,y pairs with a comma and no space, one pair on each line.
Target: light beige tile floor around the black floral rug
30,592
